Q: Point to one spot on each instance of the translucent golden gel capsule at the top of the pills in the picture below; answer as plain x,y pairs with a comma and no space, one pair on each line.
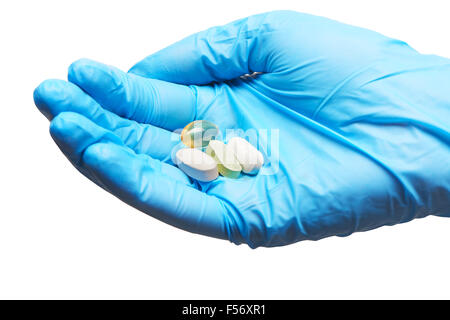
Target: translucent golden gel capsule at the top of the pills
199,133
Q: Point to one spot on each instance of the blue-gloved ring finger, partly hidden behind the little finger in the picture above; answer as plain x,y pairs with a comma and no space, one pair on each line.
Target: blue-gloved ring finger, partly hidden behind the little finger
74,133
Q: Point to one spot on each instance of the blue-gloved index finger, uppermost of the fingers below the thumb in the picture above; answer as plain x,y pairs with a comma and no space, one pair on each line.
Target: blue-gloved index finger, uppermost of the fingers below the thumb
166,105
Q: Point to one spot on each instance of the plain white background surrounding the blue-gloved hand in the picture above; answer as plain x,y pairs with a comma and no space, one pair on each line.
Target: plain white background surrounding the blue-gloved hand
63,237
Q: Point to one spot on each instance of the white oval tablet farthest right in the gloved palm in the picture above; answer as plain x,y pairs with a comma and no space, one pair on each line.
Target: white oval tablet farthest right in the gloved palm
250,158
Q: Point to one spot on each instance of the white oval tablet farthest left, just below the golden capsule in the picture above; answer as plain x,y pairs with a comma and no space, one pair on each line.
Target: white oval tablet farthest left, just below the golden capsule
196,164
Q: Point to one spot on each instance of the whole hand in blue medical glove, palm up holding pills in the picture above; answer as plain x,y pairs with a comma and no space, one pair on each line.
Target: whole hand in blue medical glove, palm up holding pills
363,128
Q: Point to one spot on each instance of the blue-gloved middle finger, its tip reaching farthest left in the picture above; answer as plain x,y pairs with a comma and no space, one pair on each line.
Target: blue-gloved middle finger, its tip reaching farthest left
55,96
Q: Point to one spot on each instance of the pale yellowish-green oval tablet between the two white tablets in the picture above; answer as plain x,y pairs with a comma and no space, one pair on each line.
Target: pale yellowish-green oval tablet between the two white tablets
227,163
